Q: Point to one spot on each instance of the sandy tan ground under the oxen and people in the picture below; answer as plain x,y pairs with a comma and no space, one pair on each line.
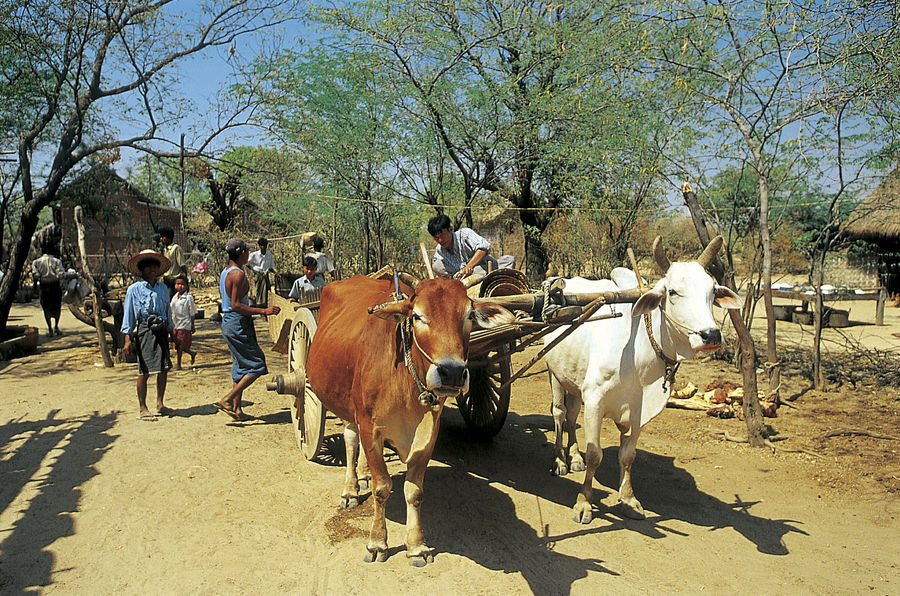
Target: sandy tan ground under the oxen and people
94,500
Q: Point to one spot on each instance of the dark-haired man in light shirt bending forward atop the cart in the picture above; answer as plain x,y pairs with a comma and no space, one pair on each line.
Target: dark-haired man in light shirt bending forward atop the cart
459,253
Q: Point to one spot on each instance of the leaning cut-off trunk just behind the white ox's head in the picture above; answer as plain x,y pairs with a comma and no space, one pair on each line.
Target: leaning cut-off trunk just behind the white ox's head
753,416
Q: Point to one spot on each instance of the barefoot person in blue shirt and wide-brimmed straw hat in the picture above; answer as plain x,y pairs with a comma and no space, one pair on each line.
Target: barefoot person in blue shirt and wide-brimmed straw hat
147,326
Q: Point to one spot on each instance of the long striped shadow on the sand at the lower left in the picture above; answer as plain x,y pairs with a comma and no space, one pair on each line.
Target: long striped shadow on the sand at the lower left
46,499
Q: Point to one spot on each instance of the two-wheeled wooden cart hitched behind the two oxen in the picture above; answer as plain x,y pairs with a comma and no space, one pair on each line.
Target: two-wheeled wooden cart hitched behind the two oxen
485,406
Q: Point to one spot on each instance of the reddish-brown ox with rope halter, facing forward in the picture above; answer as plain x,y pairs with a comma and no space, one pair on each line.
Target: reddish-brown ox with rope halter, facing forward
356,366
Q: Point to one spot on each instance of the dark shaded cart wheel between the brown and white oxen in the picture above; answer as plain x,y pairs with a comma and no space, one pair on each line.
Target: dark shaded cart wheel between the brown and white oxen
485,406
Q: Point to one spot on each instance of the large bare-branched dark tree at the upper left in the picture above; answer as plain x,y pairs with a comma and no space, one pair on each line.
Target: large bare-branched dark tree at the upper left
99,66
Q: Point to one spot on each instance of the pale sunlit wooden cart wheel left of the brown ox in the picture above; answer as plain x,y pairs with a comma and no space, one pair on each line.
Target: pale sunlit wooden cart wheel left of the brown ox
307,412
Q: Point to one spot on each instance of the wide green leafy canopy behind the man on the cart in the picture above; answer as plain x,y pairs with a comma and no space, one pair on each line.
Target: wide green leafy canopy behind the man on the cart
441,104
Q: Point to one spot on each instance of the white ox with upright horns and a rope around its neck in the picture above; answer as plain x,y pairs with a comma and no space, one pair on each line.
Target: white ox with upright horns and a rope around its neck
613,367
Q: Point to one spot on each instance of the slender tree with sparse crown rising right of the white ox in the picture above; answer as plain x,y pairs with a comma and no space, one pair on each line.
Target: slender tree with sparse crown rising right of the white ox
769,72
